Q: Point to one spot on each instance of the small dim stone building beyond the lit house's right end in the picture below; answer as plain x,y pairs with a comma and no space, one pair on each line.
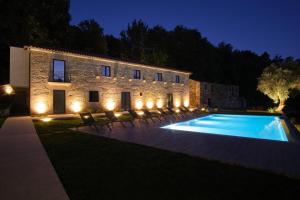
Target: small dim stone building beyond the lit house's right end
215,95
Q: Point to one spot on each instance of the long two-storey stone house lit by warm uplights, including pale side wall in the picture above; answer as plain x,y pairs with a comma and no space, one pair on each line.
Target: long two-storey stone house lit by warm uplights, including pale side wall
66,82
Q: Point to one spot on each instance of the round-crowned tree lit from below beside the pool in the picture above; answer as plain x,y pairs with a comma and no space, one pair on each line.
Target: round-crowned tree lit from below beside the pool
277,81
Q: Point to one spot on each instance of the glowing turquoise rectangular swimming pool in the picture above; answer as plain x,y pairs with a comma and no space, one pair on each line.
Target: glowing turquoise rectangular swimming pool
250,126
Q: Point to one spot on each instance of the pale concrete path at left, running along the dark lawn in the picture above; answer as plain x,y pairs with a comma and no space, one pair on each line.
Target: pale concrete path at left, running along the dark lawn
25,170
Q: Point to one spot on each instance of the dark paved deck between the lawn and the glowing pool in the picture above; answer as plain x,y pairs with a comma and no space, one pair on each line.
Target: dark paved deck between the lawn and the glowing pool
280,157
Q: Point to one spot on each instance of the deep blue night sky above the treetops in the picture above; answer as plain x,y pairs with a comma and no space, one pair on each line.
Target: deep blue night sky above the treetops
257,25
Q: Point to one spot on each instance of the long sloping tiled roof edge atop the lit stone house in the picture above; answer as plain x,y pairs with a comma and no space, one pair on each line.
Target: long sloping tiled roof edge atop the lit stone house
102,57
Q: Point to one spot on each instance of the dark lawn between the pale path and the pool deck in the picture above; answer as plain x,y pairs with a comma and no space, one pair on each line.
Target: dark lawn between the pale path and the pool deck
92,167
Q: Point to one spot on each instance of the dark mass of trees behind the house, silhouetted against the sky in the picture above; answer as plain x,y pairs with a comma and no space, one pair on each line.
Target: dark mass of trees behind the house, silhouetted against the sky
46,23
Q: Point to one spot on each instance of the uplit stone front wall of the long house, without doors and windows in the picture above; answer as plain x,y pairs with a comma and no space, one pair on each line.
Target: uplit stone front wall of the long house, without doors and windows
83,74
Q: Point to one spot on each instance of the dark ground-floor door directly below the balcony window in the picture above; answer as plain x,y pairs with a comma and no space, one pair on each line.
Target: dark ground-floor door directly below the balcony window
59,102
